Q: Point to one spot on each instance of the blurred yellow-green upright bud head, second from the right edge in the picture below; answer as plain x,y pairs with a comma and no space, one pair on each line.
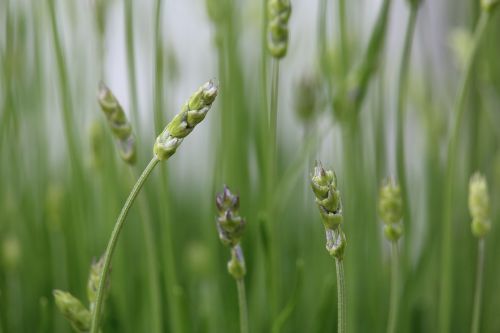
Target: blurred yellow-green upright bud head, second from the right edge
390,208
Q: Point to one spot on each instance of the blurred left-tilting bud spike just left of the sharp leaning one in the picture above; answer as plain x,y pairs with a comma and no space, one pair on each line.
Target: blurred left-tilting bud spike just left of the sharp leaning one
117,120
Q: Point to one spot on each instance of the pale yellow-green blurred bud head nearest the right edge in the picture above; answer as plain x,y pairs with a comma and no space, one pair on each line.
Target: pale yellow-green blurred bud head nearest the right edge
479,205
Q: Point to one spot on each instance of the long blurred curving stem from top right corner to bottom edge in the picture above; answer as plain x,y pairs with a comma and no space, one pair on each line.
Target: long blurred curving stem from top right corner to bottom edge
446,242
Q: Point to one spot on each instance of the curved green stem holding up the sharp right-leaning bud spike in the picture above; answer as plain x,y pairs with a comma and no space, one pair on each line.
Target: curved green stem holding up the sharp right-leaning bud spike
114,239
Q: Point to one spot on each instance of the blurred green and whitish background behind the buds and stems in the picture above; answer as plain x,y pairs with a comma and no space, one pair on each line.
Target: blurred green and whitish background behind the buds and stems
62,182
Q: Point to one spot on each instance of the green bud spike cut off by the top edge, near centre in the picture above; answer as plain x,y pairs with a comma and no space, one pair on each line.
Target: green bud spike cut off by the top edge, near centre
278,15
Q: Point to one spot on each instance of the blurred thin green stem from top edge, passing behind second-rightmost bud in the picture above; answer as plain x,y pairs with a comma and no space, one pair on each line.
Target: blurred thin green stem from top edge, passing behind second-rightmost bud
400,118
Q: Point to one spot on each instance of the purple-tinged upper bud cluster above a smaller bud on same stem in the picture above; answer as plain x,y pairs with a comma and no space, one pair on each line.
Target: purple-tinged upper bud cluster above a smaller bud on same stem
230,224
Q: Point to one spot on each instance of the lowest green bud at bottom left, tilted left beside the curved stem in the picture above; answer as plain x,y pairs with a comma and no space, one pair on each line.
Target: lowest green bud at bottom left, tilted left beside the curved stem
73,310
